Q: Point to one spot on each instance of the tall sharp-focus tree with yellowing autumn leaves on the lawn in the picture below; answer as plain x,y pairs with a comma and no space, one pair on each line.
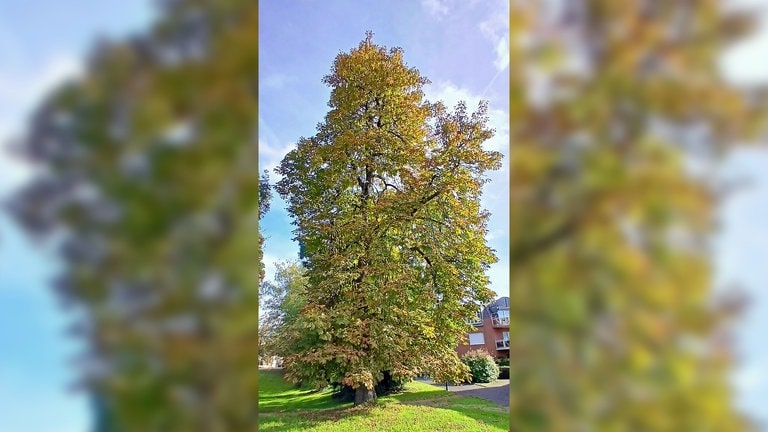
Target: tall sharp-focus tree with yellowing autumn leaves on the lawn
385,199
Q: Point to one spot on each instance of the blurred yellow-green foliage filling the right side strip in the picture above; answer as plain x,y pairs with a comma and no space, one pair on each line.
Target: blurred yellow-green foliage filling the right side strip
618,115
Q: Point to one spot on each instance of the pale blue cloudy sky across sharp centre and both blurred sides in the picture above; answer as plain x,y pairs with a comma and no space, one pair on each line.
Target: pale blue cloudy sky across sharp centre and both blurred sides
455,43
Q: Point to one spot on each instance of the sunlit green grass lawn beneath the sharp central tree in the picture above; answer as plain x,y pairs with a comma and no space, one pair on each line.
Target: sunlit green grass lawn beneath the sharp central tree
422,407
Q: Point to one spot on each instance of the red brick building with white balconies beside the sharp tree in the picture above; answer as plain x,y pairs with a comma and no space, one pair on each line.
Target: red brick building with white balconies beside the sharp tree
491,330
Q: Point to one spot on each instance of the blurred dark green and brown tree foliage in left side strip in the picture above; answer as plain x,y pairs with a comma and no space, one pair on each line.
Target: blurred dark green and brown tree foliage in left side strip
150,184
